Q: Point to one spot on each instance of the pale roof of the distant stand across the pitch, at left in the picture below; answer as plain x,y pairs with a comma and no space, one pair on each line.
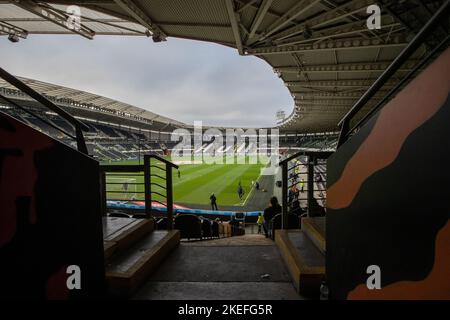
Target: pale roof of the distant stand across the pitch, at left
93,101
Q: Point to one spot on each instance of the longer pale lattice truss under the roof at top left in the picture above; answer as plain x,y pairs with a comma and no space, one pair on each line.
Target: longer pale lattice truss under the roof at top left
53,16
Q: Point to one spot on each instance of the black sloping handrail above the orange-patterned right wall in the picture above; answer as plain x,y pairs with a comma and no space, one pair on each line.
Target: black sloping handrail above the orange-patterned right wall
441,14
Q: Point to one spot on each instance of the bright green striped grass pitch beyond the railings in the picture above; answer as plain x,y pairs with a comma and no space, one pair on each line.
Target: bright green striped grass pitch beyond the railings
194,186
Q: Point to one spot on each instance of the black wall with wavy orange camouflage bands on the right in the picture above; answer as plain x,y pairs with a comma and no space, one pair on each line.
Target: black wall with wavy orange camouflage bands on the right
388,188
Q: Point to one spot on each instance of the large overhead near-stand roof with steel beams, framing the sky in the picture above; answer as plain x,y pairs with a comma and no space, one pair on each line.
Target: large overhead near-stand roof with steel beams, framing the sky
322,49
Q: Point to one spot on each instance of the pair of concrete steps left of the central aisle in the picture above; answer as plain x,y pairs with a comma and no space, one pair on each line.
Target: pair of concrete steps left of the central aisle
133,250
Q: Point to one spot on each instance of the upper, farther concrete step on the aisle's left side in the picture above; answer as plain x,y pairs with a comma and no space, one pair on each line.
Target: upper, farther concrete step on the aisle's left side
121,233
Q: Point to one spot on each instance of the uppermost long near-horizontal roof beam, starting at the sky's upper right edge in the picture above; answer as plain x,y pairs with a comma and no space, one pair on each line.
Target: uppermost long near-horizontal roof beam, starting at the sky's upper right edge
397,41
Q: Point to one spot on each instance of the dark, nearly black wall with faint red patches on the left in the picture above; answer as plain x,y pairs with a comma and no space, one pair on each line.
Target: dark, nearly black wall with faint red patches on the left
50,217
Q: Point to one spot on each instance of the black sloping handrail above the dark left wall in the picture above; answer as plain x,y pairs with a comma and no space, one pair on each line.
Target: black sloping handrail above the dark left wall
78,125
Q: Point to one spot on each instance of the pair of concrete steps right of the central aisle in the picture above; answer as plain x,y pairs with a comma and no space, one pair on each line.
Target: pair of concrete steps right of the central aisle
304,251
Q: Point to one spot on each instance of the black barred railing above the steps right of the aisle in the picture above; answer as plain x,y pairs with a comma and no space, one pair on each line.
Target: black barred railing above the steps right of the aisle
312,159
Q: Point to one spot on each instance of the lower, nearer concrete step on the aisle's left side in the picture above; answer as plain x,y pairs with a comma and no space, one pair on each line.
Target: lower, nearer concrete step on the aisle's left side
126,271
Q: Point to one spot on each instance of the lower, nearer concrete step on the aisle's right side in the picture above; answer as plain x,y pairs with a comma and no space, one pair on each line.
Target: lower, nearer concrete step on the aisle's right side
305,262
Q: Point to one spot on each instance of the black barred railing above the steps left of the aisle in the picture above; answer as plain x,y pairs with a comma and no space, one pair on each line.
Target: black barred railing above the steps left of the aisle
144,177
